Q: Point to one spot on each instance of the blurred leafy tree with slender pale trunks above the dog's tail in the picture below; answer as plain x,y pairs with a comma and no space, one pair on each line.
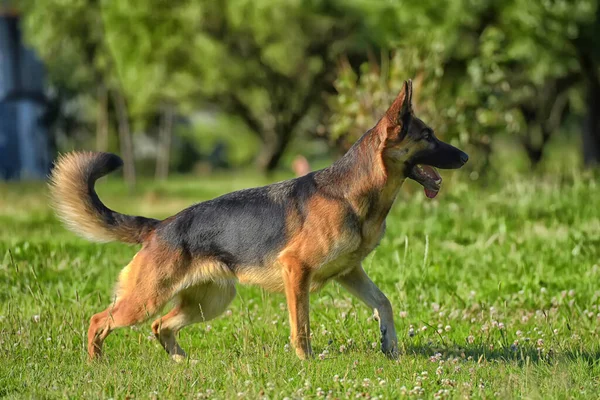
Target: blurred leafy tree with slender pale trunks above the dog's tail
69,35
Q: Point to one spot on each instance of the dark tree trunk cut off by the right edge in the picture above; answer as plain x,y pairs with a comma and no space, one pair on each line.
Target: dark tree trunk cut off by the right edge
591,126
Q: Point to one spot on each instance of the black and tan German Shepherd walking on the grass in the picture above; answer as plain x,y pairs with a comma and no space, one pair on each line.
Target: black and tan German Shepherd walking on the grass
293,236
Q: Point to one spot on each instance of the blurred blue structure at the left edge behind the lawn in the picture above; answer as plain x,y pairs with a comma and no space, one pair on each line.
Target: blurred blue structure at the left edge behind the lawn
24,146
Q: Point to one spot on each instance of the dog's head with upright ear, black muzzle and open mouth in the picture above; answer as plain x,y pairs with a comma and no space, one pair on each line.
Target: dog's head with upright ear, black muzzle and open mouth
410,146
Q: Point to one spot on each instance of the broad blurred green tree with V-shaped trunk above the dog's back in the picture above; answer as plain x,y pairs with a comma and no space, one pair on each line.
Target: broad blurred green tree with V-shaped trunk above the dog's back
266,62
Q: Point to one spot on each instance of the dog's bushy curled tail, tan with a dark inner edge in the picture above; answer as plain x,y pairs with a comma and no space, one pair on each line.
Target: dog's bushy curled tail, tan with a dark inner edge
78,206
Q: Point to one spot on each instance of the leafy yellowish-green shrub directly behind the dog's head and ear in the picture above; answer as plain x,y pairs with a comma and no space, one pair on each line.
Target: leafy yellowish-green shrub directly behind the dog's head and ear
362,99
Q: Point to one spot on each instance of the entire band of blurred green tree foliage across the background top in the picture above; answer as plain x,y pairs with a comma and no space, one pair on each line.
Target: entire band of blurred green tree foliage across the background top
481,68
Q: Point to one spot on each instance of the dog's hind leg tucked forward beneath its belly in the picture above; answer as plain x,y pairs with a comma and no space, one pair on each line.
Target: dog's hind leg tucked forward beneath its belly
195,304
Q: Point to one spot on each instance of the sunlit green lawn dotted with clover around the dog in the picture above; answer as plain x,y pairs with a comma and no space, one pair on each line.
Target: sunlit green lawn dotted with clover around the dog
495,293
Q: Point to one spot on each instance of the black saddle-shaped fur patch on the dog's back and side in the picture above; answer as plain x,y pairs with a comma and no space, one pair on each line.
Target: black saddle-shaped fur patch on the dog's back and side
239,228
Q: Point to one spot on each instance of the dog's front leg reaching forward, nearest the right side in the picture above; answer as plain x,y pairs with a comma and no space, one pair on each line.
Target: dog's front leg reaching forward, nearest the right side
358,283
